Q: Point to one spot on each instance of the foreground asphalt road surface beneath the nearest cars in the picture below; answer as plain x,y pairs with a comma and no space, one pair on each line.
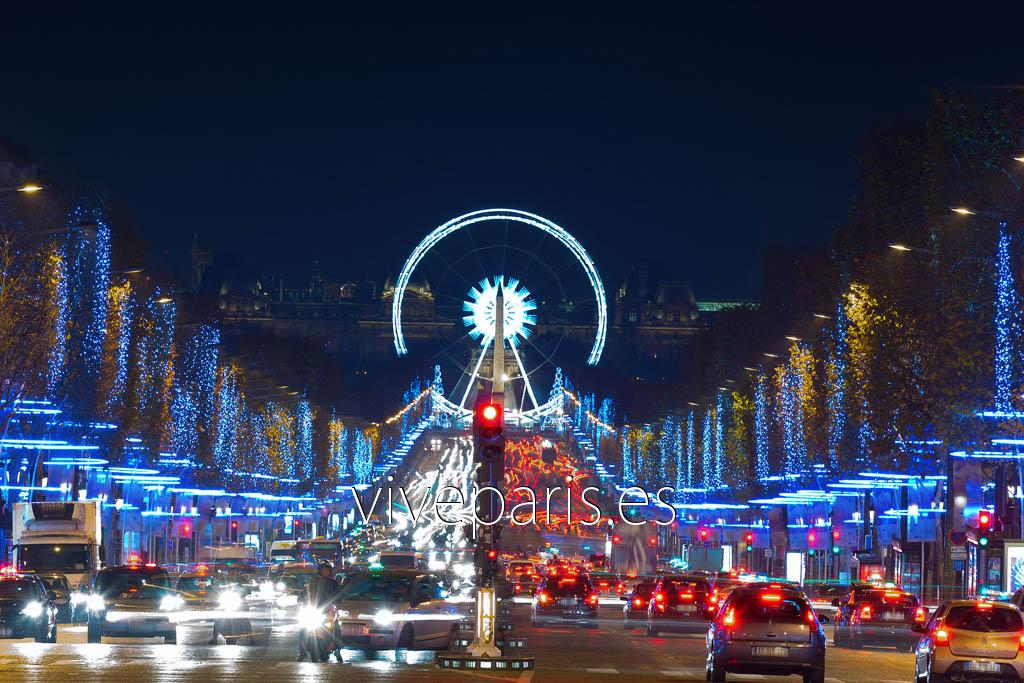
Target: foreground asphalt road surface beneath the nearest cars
562,654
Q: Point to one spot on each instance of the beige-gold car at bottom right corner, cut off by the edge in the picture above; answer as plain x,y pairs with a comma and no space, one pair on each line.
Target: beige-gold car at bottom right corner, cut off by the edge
971,639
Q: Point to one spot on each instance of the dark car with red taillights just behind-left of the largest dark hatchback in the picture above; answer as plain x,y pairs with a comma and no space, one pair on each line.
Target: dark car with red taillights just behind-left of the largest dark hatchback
681,604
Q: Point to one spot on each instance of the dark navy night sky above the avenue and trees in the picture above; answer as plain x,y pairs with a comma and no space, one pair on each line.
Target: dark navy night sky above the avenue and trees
698,138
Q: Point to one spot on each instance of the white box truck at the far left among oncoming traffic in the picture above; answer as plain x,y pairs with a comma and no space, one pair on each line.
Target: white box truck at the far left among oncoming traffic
62,538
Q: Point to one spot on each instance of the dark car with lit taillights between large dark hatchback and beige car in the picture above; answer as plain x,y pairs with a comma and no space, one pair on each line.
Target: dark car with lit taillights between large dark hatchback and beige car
881,618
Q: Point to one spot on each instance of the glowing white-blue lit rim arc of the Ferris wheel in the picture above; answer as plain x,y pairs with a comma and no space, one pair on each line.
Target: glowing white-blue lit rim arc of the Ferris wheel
527,219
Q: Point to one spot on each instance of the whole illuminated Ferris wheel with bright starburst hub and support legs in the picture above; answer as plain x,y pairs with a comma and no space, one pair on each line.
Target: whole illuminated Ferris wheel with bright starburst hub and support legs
554,308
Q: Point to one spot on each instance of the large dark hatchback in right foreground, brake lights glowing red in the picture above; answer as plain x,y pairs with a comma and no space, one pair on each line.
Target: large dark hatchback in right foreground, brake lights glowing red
766,631
